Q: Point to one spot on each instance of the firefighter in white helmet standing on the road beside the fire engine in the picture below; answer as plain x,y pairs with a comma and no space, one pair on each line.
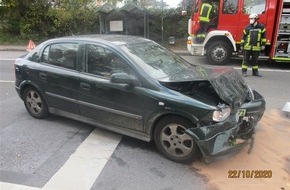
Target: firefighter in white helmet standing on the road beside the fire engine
253,41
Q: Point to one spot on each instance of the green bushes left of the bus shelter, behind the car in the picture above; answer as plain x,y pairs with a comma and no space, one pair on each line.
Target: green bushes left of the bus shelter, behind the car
41,19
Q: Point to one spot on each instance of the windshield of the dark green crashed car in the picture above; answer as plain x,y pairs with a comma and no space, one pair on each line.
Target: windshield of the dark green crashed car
155,60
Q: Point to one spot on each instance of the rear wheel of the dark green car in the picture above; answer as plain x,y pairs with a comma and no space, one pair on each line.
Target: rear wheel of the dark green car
34,103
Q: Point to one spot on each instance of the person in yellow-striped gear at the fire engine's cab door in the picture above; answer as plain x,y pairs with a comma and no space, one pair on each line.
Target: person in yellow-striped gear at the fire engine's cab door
204,19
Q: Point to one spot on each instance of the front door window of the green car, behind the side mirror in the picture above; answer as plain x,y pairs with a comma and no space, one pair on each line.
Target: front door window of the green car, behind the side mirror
104,62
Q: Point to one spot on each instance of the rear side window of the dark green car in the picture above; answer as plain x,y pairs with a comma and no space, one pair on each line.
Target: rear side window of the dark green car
62,54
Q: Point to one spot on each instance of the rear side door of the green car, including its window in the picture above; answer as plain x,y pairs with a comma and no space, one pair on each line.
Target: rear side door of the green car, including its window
58,76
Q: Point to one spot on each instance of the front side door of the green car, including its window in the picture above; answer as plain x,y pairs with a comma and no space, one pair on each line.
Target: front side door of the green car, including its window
104,102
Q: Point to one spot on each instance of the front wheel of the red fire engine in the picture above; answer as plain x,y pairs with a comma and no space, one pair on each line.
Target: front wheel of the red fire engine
218,53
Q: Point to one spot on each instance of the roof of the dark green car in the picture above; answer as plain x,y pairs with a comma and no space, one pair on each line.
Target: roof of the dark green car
113,39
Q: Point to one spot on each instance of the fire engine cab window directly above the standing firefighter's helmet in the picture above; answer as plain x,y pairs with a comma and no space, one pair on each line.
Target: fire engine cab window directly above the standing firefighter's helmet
254,6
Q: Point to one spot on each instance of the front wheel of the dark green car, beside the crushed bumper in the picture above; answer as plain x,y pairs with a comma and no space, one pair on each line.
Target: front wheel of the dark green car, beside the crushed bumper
172,141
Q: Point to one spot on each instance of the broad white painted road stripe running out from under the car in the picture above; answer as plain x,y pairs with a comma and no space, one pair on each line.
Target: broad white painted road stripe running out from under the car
83,167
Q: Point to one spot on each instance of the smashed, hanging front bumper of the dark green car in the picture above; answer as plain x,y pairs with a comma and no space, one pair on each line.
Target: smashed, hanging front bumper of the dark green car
222,140
